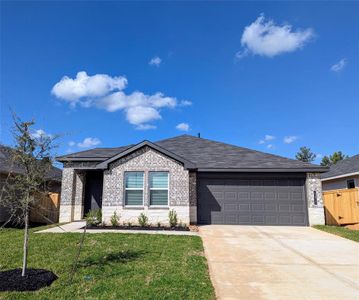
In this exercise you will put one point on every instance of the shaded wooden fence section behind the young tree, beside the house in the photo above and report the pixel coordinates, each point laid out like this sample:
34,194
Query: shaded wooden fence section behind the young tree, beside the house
47,209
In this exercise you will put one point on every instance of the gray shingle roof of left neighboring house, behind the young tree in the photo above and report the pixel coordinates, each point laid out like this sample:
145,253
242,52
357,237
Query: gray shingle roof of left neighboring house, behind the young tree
6,165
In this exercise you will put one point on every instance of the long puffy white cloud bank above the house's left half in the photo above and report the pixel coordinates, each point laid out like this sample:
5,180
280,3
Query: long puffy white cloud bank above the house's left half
139,108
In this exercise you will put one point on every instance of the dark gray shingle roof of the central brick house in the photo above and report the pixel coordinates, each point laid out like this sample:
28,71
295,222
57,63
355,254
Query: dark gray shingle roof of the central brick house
207,154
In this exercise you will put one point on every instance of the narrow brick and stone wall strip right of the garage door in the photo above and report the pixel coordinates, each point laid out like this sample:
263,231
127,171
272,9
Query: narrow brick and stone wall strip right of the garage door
315,211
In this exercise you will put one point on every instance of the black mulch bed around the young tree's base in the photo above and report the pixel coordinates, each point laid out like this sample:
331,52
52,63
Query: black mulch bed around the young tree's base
35,279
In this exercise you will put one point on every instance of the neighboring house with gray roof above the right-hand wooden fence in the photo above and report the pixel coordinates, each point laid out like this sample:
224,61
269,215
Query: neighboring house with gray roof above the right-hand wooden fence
343,175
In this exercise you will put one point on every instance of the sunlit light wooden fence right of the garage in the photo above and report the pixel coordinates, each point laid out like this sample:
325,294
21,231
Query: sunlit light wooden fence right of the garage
341,206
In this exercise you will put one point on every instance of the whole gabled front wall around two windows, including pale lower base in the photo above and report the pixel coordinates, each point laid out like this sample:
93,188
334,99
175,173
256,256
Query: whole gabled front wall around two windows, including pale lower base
145,160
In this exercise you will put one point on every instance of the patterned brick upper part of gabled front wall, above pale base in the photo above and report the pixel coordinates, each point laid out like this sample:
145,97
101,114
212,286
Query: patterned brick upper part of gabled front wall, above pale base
146,160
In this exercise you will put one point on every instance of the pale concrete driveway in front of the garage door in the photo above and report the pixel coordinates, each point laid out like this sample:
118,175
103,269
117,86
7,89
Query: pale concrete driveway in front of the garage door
259,262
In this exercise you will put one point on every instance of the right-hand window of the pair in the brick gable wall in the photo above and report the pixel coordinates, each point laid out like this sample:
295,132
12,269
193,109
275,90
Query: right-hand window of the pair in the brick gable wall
159,188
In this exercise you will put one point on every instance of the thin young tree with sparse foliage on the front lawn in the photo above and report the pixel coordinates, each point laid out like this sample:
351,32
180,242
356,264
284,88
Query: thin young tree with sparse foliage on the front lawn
31,163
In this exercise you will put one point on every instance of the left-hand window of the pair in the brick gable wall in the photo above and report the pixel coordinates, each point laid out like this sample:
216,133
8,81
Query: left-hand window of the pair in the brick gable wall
134,188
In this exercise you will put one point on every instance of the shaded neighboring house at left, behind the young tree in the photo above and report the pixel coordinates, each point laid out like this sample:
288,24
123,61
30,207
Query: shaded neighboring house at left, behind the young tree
8,166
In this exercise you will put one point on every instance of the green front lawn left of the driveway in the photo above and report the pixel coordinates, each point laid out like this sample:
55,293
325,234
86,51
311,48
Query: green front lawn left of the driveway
112,265
